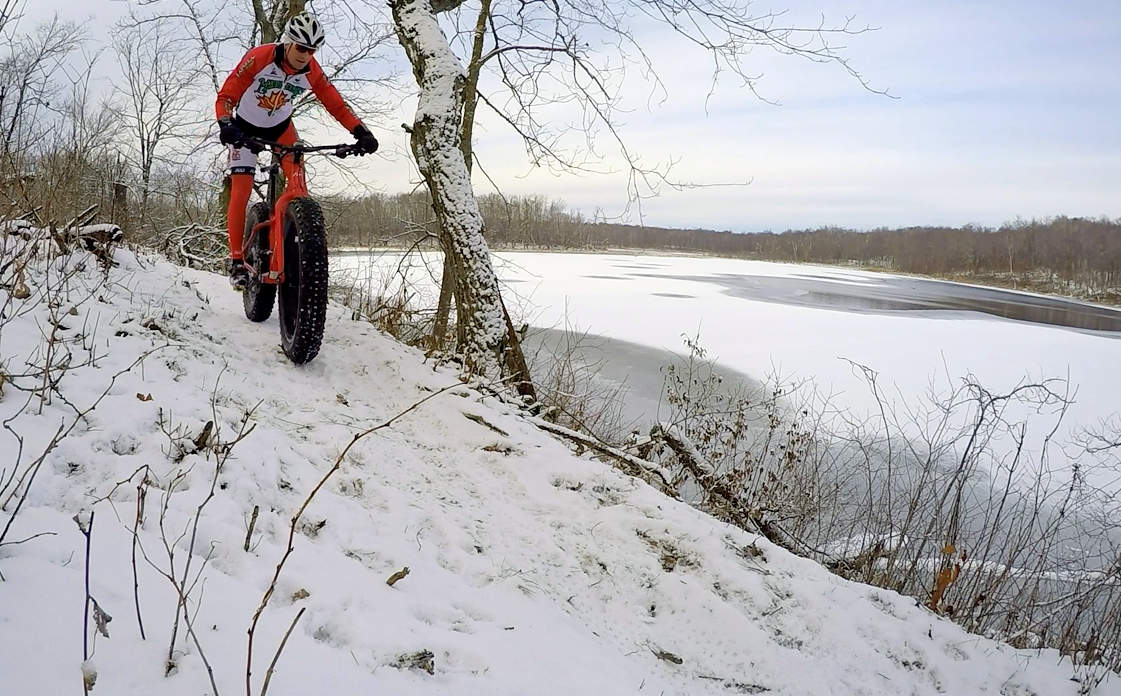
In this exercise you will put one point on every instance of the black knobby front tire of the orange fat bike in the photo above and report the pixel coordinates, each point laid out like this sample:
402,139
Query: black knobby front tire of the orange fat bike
304,292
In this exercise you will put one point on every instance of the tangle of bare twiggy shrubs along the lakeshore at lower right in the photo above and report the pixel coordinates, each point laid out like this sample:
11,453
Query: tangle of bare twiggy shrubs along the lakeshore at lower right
968,503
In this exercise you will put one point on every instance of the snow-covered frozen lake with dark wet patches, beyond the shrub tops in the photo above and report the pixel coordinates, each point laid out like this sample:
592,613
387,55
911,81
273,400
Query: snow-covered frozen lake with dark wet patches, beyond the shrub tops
802,322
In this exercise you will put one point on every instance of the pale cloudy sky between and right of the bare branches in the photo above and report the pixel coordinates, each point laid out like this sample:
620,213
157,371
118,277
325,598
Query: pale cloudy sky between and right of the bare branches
1004,110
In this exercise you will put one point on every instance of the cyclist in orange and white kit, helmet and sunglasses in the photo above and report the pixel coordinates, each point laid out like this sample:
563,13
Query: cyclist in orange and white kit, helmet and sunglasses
256,101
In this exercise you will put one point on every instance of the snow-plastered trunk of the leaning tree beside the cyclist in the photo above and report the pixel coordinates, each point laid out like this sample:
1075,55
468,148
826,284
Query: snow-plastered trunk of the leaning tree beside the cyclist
436,143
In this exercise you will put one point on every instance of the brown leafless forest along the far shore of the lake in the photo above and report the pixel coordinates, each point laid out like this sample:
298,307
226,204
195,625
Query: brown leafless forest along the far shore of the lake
1069,256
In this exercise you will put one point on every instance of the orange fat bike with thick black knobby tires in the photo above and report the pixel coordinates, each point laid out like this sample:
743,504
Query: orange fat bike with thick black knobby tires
286,248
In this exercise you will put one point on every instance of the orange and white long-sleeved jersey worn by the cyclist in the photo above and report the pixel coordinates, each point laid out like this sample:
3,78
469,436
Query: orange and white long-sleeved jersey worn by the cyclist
262,91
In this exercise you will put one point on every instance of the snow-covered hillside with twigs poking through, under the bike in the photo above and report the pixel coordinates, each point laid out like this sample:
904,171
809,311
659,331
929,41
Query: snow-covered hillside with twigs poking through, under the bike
532,570
